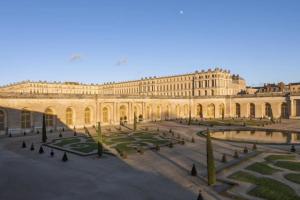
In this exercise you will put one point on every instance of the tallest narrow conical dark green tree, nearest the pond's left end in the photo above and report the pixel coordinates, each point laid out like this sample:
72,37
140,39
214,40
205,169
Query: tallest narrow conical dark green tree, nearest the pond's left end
211,170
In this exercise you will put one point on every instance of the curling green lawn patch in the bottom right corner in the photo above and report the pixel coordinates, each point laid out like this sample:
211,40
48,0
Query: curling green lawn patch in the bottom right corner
266,188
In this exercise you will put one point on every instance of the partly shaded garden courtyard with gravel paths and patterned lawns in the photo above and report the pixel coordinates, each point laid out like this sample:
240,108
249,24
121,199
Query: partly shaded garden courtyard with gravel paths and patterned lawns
157,165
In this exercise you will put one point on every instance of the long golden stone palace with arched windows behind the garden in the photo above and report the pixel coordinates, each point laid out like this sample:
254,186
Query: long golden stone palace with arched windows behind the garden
203,94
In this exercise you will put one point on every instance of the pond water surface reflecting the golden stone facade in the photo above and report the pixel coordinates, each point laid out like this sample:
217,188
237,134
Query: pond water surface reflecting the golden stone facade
258,136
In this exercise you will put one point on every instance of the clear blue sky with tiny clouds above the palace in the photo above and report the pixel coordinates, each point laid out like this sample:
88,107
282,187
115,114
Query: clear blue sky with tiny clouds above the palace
95,41
